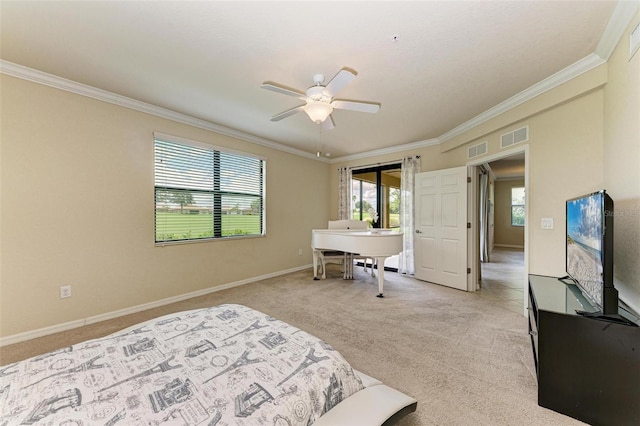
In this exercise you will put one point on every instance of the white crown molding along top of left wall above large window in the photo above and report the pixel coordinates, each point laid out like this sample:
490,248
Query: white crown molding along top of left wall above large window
30,74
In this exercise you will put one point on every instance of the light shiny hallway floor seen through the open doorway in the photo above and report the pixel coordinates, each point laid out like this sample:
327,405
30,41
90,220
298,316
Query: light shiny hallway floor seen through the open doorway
503,278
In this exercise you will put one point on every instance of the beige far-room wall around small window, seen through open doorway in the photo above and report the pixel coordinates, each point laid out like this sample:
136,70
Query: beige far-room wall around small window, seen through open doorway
504,233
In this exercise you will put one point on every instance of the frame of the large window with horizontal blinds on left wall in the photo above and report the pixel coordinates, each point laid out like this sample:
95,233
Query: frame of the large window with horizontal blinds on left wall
216,193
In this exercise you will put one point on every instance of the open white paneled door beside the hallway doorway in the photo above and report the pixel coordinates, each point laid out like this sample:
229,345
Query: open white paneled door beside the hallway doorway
440,241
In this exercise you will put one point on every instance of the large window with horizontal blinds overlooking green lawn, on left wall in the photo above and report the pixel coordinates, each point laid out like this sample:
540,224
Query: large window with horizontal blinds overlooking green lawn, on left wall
203,192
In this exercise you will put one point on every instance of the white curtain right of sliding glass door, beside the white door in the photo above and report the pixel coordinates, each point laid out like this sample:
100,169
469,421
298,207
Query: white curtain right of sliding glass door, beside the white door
410,166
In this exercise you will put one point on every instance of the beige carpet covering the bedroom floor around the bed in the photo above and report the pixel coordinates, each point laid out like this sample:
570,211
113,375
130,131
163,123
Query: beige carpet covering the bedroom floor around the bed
466,359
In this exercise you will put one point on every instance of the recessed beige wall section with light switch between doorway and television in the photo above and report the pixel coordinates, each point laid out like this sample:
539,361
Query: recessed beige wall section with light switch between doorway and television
566,161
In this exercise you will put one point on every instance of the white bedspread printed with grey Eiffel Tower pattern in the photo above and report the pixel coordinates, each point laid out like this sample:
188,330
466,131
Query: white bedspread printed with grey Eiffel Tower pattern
224,365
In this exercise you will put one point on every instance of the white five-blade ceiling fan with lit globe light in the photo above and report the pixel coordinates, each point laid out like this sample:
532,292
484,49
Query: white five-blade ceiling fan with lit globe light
319,99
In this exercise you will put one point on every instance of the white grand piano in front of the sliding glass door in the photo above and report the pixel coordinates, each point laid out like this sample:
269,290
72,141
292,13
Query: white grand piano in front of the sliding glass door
378,244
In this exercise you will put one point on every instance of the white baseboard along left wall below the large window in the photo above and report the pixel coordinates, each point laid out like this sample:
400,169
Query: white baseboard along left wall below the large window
28,335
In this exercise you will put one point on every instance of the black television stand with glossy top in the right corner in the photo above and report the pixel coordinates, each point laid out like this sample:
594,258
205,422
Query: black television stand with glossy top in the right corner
587,368
